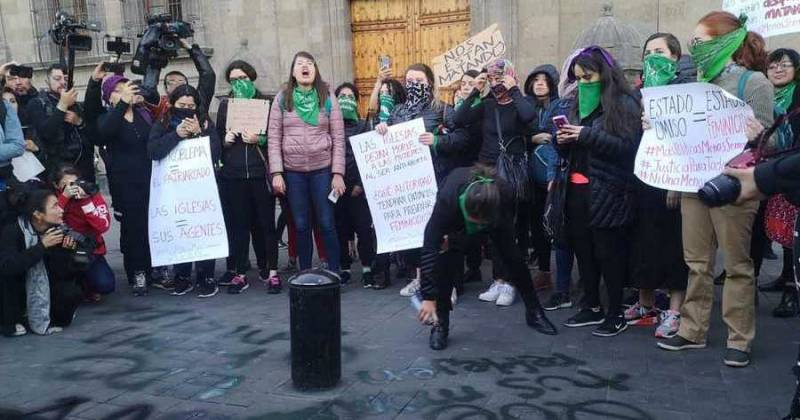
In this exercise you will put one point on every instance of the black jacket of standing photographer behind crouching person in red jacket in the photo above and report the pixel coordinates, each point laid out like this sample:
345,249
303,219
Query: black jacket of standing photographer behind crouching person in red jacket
63,142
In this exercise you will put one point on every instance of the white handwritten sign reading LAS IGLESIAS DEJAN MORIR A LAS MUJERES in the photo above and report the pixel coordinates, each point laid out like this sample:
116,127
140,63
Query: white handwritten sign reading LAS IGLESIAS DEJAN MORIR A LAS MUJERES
398,177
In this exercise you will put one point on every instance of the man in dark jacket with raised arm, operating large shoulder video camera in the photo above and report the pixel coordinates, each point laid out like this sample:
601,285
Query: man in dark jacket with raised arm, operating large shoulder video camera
207,81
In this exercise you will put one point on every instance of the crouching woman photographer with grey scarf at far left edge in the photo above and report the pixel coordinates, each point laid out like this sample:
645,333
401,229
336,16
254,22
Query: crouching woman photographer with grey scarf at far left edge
35,261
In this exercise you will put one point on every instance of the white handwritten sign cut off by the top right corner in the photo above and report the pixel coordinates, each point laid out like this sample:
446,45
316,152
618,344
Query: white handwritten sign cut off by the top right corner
767,17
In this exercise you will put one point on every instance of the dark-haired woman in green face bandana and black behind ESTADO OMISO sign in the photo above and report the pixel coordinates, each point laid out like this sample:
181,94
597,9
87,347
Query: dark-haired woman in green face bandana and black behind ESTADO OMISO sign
657,251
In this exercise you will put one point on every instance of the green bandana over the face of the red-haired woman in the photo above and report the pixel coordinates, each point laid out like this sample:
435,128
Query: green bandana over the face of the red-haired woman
712,56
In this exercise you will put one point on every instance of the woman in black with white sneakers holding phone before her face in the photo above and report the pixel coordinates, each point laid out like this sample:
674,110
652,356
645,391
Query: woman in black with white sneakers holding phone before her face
504,117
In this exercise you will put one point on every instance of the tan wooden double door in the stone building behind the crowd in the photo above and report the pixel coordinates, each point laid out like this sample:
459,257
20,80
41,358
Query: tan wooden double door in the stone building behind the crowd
408,31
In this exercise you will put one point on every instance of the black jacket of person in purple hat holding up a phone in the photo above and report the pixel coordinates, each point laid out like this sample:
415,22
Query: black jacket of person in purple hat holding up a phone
126,143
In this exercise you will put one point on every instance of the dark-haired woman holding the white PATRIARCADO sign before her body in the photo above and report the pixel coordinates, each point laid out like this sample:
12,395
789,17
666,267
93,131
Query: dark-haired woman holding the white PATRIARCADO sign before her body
183,120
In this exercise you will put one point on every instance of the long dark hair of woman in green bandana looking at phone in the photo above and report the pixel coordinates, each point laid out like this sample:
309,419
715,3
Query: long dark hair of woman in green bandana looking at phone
617,116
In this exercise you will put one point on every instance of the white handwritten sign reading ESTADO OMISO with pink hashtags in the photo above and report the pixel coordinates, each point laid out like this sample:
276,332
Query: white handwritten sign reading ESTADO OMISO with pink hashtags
696,128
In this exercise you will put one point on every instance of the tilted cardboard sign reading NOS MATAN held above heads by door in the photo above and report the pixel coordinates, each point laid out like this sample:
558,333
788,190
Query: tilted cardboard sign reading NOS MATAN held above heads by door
472,54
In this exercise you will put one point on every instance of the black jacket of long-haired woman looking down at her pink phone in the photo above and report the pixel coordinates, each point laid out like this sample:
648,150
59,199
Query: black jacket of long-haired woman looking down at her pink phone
608,161
